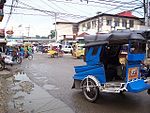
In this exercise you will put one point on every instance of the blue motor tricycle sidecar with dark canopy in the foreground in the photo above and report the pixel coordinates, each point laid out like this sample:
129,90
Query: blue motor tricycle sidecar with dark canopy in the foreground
104,72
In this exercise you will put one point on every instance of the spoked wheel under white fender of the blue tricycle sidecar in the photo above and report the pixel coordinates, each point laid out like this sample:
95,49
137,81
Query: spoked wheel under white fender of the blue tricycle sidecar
90,90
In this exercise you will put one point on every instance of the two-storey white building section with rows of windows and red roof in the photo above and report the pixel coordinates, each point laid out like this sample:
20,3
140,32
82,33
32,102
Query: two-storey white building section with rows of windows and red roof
105,23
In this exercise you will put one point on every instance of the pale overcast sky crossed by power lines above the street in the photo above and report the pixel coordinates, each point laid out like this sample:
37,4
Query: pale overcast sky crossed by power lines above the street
42,16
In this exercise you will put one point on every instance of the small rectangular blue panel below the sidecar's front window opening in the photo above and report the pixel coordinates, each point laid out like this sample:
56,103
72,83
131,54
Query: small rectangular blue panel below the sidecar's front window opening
136,57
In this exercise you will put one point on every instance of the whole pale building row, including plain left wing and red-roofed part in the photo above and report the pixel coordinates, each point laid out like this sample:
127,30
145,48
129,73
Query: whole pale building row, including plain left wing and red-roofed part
101,23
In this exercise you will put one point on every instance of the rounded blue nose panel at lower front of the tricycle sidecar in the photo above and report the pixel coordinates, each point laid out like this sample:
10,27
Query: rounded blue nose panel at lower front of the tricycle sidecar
137,86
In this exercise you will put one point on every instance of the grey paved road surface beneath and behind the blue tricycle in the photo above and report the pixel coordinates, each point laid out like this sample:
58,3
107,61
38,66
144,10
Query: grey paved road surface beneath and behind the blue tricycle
55,75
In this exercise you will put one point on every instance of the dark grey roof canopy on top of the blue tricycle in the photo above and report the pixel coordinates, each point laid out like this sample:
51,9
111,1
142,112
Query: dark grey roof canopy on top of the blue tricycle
112,38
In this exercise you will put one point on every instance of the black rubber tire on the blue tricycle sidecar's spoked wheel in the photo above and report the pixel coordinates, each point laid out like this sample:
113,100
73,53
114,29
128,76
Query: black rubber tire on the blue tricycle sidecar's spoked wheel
86,94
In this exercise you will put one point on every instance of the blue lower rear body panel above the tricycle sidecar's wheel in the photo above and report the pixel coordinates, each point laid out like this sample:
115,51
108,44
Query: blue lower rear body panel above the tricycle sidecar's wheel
98,72
